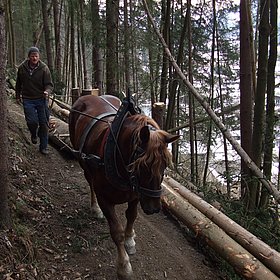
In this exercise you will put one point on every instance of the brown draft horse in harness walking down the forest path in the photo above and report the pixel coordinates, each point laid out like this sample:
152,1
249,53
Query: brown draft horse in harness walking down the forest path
139,159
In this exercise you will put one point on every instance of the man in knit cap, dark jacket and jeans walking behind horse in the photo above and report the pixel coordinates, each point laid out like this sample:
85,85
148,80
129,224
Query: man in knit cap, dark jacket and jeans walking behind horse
33,86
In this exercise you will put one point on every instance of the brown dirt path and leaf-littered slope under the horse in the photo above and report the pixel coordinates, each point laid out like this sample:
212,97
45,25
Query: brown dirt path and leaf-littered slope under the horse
54,235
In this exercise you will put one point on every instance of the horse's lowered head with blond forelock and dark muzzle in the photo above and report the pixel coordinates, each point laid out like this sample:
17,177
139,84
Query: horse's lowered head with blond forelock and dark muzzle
149,156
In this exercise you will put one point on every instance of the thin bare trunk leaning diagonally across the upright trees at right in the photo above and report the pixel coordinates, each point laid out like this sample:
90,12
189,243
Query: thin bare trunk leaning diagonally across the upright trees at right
253,167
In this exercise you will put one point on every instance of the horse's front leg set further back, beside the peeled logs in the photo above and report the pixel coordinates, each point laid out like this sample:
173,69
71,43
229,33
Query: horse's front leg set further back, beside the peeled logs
131,215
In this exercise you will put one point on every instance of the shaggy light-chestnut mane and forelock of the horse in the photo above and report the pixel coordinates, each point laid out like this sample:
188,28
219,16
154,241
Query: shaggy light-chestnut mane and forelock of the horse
156,157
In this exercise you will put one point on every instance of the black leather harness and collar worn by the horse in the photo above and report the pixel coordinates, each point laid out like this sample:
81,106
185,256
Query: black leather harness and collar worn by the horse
111,150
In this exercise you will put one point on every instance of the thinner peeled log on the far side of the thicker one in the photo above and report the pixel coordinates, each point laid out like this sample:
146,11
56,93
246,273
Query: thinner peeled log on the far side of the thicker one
263,252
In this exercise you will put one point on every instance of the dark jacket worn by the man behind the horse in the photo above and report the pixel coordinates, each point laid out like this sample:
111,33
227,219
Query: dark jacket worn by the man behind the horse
31,84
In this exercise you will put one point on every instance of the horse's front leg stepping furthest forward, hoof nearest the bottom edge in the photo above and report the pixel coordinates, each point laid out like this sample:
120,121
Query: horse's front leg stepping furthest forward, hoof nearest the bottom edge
124,269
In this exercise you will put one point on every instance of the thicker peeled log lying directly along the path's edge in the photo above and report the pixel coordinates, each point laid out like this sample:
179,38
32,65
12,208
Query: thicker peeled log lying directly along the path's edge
241,260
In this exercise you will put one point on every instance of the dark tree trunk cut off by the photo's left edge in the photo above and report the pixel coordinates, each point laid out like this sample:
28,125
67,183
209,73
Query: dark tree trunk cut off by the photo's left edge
4,170
